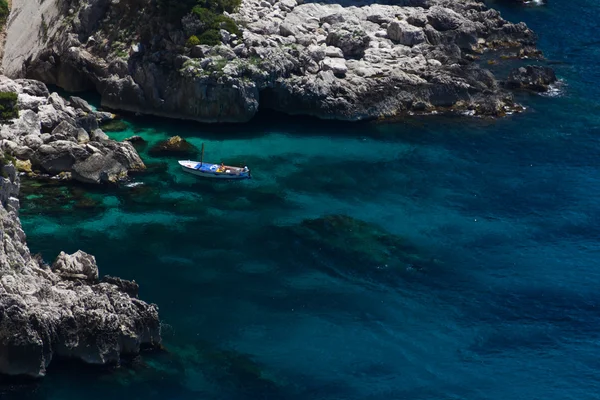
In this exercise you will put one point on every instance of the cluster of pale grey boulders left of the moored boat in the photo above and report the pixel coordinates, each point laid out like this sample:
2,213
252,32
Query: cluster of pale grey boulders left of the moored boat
57,138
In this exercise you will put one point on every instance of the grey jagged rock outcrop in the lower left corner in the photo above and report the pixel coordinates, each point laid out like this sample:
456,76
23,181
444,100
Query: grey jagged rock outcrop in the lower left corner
63,310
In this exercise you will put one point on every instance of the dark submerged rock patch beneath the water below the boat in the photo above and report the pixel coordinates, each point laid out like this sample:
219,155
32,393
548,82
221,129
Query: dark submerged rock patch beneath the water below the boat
346,248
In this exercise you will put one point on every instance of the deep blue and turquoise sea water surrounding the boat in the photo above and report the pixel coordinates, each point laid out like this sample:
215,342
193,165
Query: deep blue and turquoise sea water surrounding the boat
435,258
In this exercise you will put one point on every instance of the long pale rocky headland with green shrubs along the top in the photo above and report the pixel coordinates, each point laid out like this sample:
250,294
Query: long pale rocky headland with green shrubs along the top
327,60
